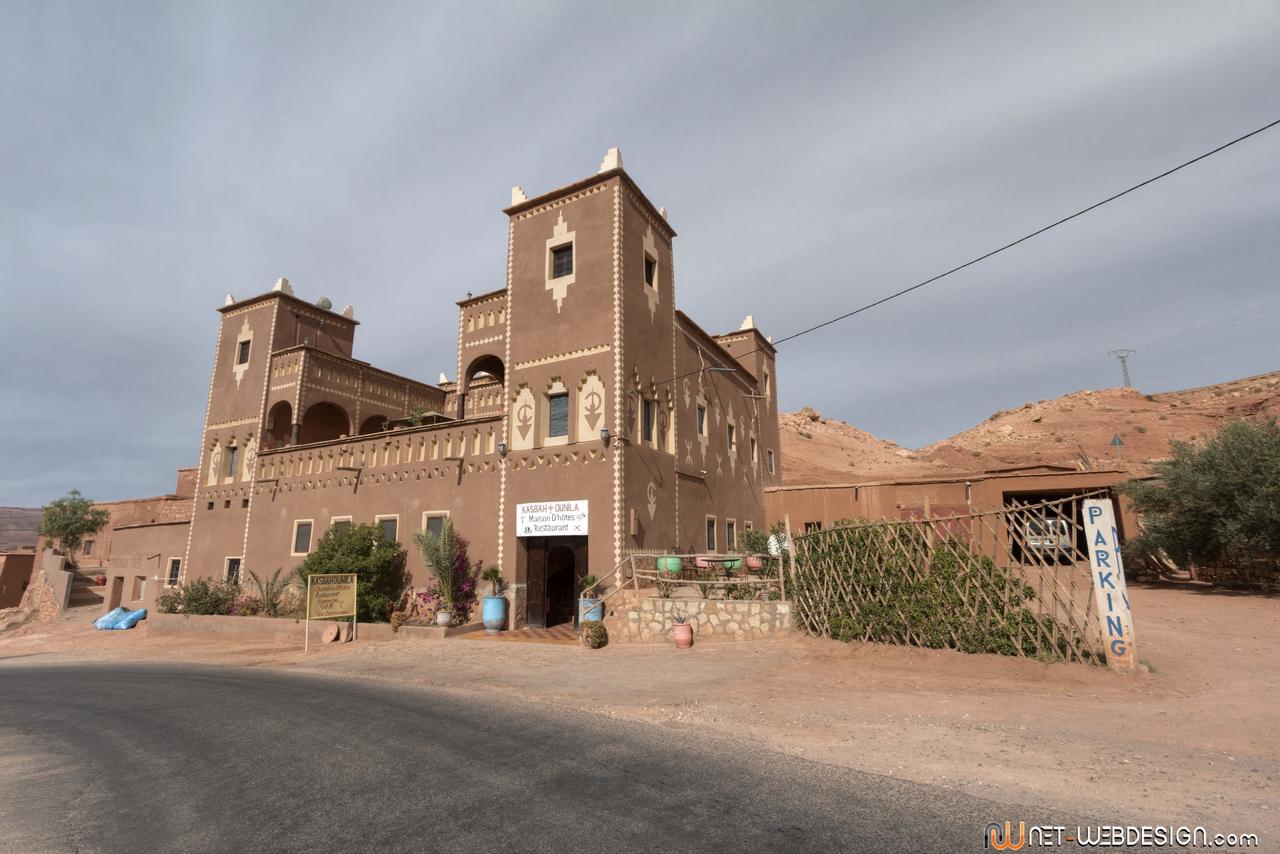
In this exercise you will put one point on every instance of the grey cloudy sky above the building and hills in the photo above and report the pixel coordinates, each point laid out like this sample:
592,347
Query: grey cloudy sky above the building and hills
813,157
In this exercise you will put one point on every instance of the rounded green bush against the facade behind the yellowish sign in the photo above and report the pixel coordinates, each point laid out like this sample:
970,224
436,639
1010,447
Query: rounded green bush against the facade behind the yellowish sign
377,561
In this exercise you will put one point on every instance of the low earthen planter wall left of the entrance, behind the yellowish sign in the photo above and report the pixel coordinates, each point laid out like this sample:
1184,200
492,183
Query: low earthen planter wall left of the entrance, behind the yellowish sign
282,631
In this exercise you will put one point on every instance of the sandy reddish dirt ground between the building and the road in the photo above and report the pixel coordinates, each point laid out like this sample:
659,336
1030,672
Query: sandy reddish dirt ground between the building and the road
1195,742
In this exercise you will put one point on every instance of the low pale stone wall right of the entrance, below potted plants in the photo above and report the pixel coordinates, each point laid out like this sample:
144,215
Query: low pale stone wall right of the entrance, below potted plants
651,620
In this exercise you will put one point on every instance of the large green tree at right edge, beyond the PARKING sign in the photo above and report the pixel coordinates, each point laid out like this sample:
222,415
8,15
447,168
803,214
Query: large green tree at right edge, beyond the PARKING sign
1214,501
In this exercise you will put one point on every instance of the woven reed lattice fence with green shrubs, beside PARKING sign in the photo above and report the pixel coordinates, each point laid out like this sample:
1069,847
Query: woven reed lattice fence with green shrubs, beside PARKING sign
1012,582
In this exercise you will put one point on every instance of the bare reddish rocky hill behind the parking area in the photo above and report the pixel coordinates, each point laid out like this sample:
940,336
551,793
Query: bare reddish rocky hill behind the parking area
1076,430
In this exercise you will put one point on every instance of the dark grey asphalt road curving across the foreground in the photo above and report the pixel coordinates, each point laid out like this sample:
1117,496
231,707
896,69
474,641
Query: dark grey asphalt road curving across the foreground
150,759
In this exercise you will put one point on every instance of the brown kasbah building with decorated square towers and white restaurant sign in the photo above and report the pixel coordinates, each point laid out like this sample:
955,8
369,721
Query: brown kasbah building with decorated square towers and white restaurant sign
579,383
